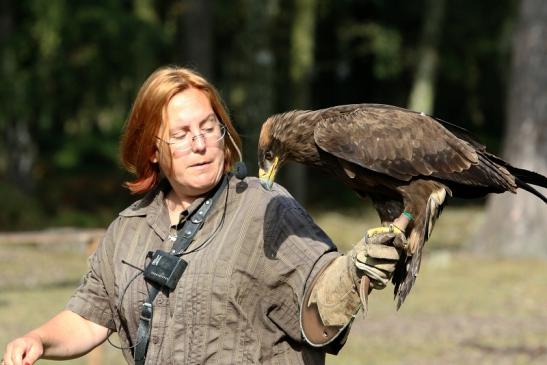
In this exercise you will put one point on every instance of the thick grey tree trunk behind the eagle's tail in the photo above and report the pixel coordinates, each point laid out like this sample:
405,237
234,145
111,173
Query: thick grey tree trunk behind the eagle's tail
517,225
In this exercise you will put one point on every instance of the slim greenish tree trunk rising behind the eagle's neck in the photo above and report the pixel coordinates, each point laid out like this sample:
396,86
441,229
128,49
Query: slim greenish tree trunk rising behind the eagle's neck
301,65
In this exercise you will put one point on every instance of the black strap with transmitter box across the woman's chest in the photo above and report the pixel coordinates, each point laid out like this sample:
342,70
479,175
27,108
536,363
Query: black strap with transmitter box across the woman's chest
174,267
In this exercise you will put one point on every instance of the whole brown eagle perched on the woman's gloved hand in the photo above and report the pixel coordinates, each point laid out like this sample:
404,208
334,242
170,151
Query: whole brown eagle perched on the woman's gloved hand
407,163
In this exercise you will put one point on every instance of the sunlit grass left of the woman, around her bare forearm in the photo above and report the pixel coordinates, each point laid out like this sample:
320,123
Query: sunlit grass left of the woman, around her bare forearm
35,284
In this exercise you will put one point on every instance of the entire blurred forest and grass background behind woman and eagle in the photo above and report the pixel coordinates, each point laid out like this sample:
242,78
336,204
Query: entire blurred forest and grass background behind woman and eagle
71,69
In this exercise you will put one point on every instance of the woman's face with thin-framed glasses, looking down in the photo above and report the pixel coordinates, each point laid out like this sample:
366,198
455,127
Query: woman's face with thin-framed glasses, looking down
194,171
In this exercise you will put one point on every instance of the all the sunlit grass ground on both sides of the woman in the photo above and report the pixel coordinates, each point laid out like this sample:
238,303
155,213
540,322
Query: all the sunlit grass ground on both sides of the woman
464,309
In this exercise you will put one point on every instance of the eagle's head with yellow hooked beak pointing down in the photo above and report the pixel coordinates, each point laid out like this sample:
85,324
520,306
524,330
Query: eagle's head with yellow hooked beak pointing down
271,151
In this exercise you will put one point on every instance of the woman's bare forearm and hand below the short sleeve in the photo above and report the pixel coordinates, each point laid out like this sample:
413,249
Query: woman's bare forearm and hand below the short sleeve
65,336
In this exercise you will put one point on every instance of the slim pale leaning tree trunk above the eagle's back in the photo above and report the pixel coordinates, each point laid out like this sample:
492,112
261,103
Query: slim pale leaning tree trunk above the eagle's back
422,95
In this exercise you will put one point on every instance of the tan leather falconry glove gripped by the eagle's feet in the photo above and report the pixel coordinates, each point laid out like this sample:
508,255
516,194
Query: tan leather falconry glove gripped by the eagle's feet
337,291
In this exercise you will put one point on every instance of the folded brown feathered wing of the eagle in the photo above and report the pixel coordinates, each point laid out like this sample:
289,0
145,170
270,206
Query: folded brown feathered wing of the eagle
393,141
